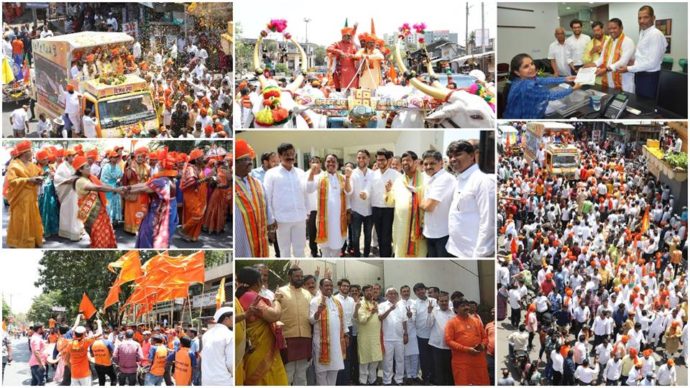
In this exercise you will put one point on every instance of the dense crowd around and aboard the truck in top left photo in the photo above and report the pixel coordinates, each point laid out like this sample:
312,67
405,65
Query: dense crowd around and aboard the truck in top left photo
191,88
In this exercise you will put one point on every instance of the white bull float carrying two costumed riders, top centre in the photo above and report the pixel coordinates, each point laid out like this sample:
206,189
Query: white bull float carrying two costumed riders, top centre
364,101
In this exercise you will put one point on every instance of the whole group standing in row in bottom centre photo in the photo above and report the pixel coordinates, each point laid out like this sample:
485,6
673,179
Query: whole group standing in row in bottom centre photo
318,332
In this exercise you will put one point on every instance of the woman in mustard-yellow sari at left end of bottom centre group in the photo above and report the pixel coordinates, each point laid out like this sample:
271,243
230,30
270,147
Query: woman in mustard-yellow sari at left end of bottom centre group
262,363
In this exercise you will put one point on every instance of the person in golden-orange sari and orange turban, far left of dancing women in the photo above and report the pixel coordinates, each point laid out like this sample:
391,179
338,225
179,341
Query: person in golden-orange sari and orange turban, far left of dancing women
25,229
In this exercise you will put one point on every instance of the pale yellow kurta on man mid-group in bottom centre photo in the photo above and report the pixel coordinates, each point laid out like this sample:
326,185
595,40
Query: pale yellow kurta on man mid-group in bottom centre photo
369,333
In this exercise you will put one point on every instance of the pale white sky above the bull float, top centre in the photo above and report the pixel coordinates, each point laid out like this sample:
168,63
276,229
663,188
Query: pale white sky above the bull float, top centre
328,17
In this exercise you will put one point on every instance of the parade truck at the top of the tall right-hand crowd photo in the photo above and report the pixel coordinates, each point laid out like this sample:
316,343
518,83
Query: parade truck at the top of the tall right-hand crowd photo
559,159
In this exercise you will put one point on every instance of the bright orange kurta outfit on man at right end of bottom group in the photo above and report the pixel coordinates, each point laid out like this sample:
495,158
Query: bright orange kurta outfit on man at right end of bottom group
463,334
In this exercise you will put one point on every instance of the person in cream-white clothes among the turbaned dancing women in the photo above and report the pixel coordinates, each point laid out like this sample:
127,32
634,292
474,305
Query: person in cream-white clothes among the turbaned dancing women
70,226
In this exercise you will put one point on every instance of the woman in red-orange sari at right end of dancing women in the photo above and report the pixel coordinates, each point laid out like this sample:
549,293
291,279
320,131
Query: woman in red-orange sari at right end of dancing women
217,211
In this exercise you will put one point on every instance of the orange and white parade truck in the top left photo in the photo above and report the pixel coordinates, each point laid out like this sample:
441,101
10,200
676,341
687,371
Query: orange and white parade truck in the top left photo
123,104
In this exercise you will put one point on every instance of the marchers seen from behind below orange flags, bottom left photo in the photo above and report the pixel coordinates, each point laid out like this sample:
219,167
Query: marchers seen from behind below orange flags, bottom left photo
142,354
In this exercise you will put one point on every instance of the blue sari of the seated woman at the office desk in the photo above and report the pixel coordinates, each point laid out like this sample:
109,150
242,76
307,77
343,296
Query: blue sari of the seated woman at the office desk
528,98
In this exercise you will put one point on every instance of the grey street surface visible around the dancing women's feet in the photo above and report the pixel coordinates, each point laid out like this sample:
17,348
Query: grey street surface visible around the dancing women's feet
126,240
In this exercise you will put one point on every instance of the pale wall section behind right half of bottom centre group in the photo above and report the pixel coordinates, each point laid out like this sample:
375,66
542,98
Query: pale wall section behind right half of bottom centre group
456,275
